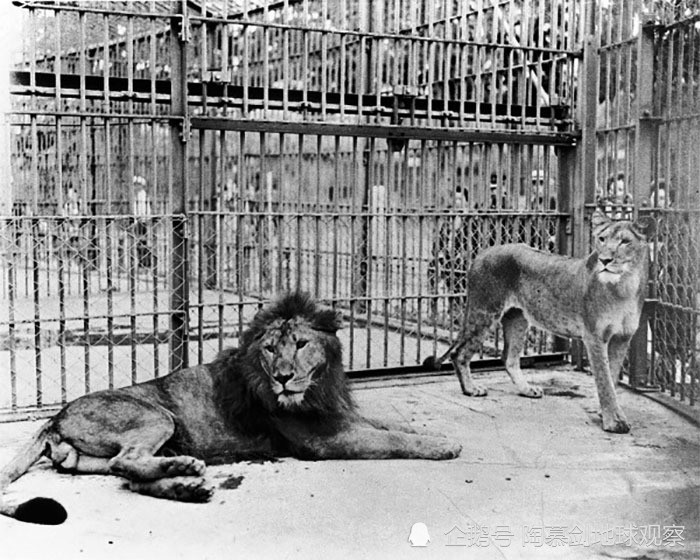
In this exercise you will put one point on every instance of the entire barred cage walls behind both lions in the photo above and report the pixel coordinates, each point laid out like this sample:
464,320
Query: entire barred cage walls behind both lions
177,164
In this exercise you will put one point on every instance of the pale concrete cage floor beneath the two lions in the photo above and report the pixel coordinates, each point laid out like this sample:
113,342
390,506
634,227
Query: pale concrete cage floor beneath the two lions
534,479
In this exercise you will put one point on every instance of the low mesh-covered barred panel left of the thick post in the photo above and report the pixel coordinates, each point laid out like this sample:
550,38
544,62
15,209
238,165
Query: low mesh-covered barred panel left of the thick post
80,295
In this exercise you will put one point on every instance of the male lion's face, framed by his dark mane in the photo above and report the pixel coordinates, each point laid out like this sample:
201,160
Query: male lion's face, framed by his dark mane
292,355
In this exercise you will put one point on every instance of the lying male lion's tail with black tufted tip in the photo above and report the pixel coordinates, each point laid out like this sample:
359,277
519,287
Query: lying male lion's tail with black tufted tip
37,510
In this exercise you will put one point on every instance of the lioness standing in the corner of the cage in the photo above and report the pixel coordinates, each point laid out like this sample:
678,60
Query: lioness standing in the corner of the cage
597,299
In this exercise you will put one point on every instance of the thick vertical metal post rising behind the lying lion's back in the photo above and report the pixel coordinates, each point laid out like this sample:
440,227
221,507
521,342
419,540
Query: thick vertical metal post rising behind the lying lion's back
179,134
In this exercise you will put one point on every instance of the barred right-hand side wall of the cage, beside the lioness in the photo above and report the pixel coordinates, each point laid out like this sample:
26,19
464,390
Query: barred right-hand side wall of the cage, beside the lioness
647,132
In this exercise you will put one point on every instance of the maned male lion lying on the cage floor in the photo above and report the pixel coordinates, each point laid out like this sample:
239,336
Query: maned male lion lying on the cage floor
283,392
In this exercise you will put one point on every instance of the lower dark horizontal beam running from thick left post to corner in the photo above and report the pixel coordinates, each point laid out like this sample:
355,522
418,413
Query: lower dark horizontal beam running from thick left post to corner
394,132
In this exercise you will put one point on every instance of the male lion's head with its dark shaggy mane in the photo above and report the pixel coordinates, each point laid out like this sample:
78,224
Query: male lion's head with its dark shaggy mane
297,356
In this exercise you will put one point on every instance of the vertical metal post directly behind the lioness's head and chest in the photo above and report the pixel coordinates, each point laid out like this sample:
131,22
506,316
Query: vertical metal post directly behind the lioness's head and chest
645,146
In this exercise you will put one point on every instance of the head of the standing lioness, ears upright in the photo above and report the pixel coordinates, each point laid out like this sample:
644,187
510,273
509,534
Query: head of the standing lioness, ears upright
621,246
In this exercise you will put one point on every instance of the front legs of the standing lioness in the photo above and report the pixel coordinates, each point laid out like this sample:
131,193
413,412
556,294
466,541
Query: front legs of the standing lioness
601,365
